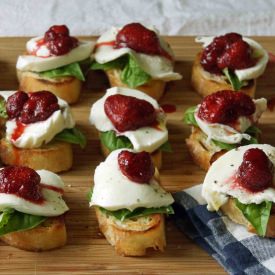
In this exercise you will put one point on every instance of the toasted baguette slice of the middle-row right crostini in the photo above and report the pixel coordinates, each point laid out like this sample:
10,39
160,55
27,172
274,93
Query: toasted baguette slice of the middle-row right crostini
202,153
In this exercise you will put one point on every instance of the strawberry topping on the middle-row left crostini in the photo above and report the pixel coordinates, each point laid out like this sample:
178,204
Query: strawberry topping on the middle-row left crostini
33,107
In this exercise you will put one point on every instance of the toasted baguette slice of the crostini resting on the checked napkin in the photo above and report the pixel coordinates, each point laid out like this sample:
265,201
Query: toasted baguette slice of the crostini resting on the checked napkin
235,214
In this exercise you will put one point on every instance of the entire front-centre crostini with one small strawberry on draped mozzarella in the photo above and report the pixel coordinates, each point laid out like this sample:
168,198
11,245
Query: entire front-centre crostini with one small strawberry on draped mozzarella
129,202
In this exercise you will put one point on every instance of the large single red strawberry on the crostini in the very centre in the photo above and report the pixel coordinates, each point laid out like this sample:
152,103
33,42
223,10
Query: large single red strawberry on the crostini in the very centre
129,113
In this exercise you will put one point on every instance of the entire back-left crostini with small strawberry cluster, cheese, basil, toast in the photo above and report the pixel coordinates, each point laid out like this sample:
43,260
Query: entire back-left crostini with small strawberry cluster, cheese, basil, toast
55,62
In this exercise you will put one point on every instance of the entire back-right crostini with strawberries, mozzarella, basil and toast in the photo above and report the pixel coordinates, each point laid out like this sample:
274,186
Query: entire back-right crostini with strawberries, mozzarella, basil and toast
228,62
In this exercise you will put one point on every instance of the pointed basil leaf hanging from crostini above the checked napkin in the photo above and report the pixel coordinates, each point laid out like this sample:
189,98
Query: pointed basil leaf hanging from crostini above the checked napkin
256,214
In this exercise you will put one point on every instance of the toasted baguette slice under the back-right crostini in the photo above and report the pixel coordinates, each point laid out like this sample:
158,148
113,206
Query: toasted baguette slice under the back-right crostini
206,86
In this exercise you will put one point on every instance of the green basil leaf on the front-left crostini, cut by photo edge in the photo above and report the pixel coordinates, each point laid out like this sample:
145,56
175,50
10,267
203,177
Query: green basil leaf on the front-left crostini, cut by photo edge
12,221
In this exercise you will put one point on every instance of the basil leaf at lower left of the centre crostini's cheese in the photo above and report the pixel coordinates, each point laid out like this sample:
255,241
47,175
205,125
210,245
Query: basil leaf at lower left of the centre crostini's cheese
113,142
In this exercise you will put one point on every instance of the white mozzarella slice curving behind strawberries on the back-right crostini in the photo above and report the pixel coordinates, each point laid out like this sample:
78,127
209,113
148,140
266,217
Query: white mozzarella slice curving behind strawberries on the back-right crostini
249,73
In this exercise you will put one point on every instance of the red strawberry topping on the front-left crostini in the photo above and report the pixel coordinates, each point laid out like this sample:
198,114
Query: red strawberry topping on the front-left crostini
22,182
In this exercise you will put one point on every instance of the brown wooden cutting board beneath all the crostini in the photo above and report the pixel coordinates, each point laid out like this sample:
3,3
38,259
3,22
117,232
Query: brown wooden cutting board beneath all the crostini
87,252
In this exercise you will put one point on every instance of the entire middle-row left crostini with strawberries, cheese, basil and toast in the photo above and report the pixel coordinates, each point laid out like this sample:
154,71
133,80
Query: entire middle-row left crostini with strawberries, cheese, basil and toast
39,131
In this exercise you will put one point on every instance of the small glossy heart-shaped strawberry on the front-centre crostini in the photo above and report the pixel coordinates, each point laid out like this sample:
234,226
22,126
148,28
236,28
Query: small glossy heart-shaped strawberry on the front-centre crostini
137,167
